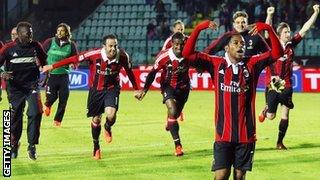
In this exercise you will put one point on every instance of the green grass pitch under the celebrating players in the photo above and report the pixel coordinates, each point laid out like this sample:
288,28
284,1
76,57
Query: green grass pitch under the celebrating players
142,149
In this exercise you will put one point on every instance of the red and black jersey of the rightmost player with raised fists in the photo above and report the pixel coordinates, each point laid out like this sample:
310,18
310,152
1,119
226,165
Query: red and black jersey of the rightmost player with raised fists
283,66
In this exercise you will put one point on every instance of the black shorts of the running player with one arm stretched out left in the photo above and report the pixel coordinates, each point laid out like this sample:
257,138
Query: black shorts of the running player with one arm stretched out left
99,100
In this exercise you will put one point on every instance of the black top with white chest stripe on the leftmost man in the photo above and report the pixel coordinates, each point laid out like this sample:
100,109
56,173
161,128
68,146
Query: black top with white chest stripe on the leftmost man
24,62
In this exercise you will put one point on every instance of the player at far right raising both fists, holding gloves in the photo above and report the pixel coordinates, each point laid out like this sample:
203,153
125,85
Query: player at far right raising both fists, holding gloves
278,75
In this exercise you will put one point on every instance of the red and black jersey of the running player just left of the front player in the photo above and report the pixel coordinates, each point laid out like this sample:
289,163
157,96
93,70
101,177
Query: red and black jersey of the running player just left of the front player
174,70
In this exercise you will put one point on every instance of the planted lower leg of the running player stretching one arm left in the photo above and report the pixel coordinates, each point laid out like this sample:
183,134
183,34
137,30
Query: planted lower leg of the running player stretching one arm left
95,131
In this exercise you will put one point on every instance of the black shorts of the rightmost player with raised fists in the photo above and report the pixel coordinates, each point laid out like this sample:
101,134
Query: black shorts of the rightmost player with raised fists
284,98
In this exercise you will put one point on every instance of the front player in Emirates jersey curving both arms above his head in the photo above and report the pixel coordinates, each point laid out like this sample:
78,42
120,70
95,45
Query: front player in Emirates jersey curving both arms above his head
235,80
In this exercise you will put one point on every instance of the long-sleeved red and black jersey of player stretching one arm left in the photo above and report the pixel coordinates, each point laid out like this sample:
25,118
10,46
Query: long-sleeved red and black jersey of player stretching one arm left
104,72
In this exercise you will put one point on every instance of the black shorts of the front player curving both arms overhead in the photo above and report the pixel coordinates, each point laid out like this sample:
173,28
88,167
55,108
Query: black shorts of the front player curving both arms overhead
226,154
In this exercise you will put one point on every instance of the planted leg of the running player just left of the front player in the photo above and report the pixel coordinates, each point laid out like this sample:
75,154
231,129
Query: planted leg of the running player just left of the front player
173,126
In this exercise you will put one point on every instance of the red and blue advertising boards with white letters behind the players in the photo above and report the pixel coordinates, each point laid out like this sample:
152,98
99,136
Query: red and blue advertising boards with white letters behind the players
304,79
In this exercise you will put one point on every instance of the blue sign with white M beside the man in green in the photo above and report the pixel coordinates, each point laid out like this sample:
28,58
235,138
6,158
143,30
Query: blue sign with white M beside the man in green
78,79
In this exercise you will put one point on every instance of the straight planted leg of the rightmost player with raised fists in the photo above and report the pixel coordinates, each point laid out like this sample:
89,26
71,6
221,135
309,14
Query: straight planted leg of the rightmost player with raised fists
283,126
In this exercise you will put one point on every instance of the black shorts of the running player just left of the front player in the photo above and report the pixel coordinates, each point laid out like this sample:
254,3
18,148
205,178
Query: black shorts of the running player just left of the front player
179,94
